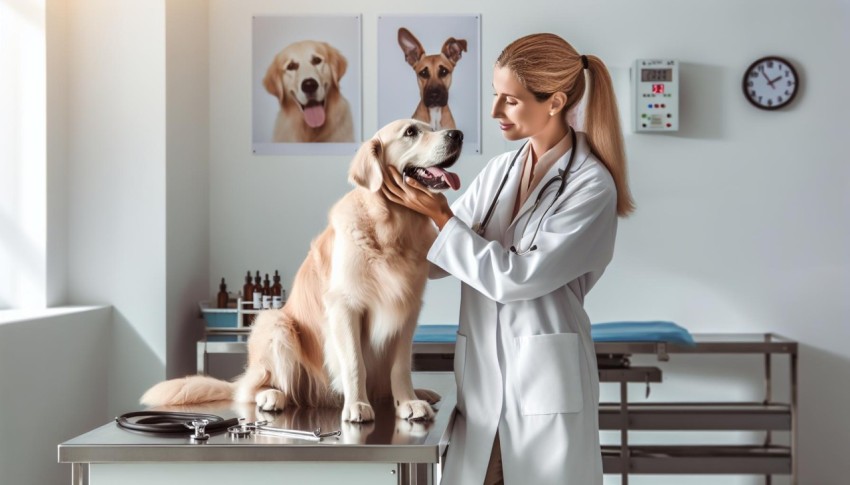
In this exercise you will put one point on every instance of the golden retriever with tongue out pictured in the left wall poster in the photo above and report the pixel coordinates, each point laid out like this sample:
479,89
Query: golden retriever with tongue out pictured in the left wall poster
304,77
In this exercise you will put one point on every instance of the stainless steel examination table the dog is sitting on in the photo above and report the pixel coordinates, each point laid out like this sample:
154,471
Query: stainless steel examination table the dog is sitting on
388,451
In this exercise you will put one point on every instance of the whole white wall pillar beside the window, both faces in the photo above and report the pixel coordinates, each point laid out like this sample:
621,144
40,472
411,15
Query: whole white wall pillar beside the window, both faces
137,181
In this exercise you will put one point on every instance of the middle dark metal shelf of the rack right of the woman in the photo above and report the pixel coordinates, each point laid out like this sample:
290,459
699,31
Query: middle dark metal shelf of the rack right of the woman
697,416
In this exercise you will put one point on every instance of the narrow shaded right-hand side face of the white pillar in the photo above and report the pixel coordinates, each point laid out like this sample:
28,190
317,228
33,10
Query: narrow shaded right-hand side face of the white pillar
187,179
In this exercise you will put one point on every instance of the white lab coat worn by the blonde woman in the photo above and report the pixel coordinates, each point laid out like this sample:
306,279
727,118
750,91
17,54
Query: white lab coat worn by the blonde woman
524,361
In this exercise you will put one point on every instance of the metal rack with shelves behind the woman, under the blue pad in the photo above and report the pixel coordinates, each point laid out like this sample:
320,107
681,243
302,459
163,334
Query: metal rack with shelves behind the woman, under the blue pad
768,416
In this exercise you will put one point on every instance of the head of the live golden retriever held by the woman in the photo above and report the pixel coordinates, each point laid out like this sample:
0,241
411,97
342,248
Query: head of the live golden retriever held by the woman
415,150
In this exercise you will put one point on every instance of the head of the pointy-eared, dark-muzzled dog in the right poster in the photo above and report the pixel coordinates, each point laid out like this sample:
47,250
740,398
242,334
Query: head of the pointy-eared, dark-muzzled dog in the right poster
434,71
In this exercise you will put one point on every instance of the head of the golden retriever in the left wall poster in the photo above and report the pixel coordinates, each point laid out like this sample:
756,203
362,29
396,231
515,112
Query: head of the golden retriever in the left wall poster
305,73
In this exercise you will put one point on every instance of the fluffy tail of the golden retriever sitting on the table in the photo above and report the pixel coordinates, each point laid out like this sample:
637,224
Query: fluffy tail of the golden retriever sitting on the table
188,390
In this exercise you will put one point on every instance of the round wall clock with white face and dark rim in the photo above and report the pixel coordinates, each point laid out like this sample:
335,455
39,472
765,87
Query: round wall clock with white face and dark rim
770,83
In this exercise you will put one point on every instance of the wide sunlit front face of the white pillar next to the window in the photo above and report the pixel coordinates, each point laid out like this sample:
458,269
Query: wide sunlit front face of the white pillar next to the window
116,176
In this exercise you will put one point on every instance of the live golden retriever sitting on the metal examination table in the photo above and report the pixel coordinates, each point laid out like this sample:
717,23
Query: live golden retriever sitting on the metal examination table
345,336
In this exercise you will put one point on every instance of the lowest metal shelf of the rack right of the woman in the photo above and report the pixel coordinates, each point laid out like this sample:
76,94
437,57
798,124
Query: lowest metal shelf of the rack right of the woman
660,460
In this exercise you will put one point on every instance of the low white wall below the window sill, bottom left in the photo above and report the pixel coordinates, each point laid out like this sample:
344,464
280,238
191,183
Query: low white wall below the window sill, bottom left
54,388
